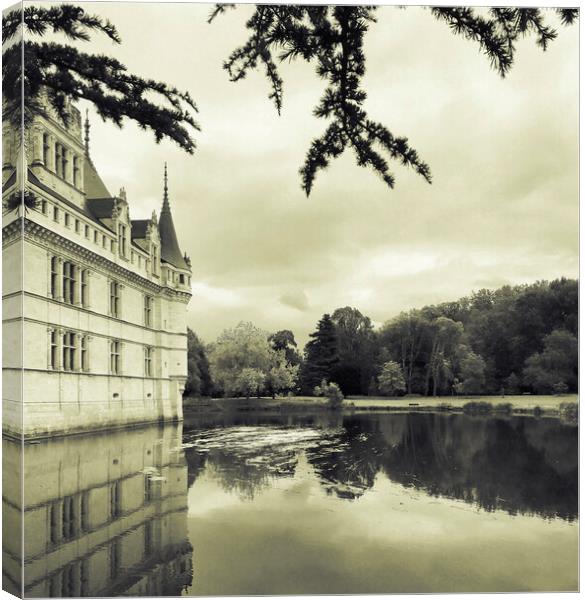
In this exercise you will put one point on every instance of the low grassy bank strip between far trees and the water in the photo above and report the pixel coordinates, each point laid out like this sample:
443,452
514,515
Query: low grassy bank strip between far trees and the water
519,405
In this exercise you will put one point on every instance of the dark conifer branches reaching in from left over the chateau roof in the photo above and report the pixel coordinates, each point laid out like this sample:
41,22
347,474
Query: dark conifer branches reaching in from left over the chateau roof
58,73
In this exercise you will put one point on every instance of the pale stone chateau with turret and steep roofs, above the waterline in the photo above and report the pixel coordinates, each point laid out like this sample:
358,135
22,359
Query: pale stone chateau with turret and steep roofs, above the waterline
94,303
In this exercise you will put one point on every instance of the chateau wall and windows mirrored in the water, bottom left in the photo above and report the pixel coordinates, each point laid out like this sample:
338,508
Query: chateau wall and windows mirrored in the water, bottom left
104,515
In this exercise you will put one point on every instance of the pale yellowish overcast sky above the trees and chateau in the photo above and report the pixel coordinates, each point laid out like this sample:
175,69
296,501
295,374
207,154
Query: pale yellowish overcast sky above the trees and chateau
503,206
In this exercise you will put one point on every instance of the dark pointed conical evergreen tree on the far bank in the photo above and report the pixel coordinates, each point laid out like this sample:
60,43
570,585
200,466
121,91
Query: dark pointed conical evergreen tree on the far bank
321,355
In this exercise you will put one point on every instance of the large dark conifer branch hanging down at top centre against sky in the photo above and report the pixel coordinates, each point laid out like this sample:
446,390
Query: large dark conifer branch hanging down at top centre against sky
331,38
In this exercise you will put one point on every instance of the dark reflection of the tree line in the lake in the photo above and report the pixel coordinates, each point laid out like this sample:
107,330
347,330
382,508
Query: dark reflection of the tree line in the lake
520,465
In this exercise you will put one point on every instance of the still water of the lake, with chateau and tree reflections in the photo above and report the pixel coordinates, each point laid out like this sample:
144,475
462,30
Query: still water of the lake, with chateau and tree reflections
253,504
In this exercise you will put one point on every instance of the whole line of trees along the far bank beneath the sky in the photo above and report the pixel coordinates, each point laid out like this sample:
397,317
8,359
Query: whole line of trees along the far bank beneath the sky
512,340
